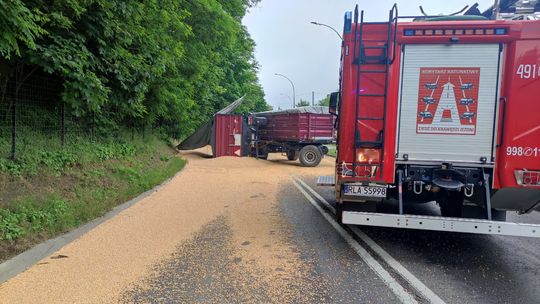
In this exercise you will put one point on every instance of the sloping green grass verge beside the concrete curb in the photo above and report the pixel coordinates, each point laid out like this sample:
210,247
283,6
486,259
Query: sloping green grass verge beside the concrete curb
50,190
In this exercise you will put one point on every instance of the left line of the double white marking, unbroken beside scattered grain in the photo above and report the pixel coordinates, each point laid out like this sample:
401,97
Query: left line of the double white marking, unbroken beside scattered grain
396,288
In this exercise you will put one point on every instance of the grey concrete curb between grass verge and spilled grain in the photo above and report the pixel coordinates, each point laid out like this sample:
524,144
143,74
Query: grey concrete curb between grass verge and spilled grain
29,258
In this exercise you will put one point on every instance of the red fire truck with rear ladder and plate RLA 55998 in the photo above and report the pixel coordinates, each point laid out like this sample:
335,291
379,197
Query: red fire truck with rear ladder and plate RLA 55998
443,109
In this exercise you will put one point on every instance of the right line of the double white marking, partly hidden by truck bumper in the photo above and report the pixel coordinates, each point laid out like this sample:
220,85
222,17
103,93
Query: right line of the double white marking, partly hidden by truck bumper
427,293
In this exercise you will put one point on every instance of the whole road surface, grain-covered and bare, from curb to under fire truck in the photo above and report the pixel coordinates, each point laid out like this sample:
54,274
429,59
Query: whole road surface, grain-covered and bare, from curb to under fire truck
275,242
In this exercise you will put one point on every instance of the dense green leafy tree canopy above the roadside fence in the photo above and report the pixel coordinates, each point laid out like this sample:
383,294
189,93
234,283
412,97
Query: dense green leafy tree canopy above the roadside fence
170,63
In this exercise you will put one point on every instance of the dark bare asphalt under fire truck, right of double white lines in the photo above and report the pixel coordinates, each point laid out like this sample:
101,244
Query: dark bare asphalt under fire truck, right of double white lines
463,268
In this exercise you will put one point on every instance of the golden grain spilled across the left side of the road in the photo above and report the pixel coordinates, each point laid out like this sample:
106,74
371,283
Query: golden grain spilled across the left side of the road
121,259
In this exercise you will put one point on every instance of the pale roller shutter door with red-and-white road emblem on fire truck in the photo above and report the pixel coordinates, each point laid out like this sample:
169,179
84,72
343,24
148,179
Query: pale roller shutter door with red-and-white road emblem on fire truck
448,102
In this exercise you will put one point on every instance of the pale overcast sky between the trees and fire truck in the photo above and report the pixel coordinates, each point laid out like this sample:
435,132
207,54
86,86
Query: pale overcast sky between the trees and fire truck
309,55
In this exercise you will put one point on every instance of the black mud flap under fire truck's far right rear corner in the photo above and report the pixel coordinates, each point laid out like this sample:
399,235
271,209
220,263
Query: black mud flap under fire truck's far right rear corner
523,199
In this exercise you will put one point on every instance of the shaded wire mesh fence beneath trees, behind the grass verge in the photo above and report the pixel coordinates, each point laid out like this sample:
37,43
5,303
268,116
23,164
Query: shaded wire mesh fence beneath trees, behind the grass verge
33,118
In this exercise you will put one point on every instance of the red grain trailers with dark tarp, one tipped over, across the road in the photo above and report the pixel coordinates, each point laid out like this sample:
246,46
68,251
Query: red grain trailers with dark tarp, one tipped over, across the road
300,133
